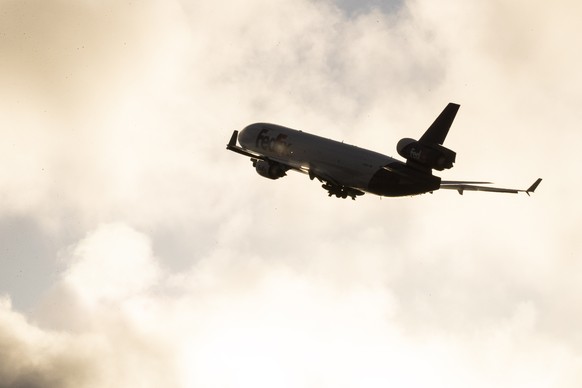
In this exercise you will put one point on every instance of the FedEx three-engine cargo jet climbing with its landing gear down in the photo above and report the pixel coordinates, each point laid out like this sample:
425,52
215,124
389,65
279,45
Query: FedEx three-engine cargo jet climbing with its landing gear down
349,171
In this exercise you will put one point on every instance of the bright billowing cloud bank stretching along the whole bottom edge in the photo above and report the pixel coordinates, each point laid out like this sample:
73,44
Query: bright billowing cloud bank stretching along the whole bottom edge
252,323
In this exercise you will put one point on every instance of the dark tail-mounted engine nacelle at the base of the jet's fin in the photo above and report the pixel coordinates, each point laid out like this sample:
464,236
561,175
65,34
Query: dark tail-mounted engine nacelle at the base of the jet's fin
428,155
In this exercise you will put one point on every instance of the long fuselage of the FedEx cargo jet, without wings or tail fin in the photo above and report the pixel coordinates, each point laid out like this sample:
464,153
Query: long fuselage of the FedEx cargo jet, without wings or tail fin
336,162
